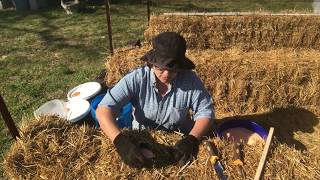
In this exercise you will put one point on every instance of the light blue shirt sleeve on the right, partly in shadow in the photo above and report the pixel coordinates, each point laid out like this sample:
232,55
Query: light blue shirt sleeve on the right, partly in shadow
202,104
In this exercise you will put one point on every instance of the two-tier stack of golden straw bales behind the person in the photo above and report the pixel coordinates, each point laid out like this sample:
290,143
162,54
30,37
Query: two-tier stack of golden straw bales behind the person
239,80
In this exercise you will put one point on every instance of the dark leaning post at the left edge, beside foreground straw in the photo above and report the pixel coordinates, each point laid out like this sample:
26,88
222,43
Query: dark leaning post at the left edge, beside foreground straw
8,120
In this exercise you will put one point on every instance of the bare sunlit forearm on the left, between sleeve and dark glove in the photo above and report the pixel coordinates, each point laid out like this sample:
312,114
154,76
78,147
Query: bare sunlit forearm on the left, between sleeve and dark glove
107,122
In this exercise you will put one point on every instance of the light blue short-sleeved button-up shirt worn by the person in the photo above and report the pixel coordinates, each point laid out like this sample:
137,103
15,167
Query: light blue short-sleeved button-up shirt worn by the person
150,110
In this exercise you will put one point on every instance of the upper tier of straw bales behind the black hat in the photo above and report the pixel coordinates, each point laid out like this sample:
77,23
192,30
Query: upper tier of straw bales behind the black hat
249,32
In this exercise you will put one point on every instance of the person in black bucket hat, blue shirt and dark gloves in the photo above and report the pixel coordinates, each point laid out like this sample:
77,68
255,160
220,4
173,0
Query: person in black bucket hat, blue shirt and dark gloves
162,93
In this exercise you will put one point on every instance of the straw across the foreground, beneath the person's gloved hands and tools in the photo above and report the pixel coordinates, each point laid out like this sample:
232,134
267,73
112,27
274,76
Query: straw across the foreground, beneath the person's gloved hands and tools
53,149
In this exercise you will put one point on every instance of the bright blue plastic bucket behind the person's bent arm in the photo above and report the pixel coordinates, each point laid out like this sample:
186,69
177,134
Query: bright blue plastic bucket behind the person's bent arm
125,118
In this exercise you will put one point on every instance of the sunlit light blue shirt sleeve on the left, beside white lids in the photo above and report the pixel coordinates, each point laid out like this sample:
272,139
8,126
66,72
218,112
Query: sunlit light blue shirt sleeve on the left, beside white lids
120,94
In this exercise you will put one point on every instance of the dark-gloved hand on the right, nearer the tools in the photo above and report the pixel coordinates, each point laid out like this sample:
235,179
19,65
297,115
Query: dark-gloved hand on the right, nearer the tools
186,149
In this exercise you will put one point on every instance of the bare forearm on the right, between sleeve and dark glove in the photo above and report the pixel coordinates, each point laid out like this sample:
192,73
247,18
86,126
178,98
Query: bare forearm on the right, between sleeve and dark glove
201,126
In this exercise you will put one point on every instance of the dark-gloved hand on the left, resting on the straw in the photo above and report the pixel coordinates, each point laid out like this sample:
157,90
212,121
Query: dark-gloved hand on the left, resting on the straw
129,152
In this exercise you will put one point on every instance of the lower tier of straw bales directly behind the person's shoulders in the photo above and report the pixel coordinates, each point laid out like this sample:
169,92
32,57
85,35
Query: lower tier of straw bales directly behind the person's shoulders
244,82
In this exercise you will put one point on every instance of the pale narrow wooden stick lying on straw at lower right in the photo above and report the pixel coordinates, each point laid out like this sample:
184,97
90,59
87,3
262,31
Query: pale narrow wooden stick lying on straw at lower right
264,155
